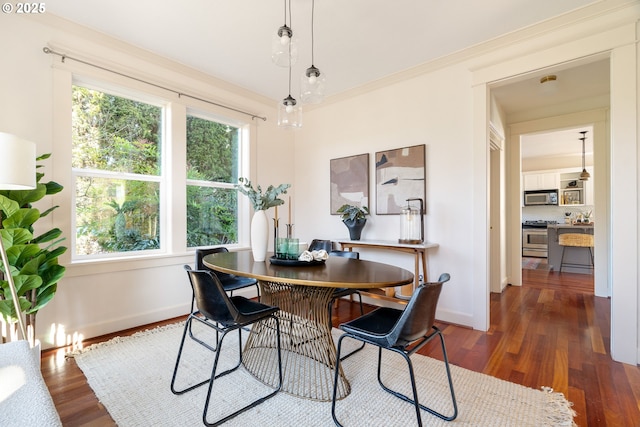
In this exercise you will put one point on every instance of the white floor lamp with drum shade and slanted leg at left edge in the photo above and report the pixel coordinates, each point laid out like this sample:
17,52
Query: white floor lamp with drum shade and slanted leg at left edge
17,172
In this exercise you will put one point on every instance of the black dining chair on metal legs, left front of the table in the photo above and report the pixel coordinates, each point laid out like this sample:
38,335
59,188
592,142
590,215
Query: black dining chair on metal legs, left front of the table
225,314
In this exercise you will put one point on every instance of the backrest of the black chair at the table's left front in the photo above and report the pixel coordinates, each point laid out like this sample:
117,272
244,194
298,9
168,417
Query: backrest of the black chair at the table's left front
211,299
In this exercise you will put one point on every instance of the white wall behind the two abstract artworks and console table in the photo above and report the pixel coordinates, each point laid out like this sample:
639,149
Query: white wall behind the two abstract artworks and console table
435,110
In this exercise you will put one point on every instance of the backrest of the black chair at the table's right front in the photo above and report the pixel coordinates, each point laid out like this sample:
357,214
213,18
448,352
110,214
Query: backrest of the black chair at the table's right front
419,315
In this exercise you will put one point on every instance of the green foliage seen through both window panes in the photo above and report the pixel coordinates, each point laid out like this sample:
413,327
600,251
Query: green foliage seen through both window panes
113,136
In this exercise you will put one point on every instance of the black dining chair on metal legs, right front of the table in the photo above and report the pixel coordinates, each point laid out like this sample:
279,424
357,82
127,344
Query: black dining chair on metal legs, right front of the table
403,332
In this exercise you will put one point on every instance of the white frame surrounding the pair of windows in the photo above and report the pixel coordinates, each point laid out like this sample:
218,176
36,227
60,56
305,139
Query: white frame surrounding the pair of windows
173,194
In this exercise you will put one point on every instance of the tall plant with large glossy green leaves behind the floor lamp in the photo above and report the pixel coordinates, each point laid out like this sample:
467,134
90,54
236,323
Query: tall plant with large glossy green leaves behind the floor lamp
33,259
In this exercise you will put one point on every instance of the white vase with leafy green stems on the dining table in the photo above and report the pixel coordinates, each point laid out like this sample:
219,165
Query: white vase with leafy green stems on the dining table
261,202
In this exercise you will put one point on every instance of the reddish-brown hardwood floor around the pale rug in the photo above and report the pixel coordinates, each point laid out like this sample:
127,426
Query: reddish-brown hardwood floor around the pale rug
552,332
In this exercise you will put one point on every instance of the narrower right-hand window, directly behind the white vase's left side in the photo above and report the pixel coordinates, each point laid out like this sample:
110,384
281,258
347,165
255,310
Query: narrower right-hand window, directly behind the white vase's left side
212,170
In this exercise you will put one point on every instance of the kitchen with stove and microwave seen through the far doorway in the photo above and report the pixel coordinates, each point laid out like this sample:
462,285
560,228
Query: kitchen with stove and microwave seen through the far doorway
554,160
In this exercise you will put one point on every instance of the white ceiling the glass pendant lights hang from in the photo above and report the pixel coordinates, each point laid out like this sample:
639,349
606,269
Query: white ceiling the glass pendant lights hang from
356,41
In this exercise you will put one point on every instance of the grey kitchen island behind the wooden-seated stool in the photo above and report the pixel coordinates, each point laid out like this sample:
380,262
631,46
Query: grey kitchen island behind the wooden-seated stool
577,256
